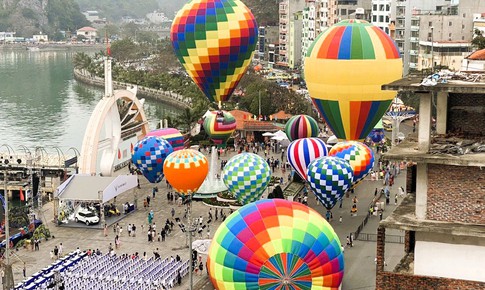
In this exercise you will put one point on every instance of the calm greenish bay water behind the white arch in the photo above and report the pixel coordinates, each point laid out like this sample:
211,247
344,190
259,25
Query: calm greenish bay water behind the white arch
42,105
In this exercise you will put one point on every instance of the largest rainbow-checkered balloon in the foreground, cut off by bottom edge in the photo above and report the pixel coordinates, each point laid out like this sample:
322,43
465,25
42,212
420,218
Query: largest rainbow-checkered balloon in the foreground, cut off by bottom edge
275,244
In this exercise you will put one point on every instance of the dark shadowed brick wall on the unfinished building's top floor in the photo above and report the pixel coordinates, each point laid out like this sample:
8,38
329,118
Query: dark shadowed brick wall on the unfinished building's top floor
465,112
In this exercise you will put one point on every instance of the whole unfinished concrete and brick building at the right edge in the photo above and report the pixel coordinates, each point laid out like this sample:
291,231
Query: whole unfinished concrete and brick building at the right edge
444,211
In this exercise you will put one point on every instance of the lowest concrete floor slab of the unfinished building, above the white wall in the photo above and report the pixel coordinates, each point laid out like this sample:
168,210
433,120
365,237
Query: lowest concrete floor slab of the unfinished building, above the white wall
404,218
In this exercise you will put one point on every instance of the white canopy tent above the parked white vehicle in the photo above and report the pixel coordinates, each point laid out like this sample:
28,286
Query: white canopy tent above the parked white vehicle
83,187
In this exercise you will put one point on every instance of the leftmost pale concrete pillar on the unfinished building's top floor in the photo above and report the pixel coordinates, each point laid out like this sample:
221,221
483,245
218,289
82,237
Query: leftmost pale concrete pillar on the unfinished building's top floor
424,129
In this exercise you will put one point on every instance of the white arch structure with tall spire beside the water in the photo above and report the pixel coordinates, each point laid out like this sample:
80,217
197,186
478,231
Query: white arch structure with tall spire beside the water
121,115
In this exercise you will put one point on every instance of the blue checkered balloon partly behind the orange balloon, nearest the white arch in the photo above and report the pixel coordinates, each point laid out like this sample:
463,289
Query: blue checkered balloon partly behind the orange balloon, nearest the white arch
149,155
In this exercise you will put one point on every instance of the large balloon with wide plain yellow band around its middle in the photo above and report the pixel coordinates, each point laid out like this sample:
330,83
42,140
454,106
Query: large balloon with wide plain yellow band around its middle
345,68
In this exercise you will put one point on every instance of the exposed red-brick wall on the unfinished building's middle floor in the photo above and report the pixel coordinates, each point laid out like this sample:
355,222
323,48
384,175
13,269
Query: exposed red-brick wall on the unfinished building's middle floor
456,194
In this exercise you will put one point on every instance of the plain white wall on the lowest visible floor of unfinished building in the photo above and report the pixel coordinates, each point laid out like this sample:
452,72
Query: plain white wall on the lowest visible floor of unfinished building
438,255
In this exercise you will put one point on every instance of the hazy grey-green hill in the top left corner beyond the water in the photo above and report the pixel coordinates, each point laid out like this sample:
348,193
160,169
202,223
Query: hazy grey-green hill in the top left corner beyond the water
28,17
